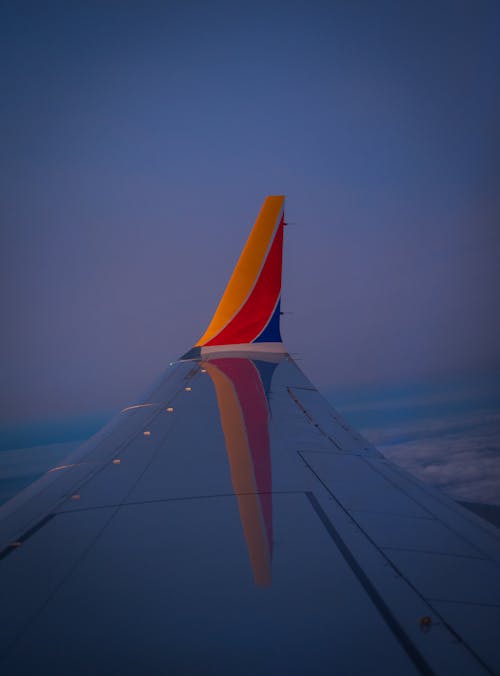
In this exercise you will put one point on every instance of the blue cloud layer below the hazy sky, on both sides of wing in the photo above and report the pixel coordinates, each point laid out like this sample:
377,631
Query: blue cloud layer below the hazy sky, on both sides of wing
446,433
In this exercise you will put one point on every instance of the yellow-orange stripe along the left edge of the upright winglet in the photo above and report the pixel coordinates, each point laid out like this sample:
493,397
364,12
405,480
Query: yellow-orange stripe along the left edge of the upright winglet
247,268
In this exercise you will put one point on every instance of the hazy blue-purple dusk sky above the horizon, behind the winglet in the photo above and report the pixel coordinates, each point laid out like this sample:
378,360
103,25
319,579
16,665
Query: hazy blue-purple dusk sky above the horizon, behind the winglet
140,138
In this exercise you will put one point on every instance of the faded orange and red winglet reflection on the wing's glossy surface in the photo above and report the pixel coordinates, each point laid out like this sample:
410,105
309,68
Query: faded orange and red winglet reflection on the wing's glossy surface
244,413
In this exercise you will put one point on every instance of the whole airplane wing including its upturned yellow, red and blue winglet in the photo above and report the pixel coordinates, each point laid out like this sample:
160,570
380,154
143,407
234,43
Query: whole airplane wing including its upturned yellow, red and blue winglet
233,523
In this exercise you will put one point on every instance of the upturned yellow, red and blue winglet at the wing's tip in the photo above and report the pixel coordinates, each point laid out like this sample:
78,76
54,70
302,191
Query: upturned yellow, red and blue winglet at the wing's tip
248,314
